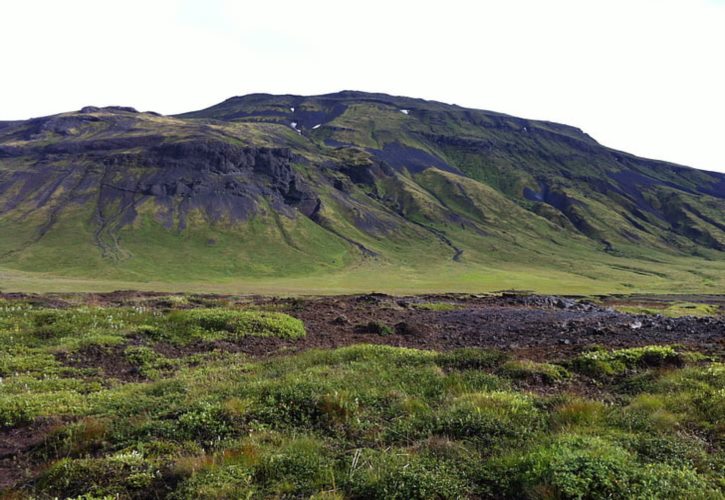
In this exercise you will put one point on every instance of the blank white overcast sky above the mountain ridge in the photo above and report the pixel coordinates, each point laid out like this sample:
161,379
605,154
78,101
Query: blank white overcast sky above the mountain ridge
647,77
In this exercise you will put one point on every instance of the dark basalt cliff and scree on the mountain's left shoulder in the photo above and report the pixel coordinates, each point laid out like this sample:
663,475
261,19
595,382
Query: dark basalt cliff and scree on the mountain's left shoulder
220,179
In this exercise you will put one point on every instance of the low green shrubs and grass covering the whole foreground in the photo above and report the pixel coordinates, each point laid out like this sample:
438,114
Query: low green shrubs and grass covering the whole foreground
200,421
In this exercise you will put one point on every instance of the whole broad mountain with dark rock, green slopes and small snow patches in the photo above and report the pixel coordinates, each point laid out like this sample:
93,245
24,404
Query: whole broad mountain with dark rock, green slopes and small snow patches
344,191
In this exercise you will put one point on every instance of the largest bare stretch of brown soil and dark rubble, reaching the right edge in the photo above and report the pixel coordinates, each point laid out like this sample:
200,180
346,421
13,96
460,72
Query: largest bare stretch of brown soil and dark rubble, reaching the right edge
532,326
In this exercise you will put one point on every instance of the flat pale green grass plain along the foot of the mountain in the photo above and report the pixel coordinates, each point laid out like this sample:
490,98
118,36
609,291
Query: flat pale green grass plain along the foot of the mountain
396,279
